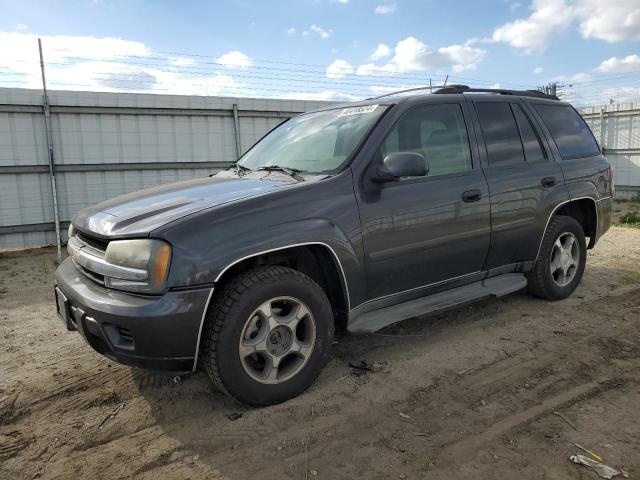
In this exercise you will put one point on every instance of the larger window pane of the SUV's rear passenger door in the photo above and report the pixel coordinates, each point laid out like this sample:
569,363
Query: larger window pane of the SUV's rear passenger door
501,134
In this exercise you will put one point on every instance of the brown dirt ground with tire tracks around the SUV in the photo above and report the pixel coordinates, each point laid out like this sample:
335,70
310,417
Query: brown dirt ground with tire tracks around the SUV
470,394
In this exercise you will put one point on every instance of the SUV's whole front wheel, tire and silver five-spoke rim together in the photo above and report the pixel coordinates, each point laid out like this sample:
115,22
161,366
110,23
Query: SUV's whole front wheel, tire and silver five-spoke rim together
268,335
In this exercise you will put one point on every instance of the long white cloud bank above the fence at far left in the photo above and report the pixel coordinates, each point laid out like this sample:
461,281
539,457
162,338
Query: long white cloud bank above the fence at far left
101,64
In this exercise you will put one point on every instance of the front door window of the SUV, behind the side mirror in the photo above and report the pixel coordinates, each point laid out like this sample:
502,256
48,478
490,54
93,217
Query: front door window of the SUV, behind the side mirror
436,131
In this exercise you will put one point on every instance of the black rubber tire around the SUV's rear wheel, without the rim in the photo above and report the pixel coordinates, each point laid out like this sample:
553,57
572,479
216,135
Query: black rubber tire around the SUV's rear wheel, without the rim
540,280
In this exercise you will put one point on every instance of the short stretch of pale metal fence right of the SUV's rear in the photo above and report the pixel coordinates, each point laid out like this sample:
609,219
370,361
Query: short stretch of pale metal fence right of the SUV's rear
617,128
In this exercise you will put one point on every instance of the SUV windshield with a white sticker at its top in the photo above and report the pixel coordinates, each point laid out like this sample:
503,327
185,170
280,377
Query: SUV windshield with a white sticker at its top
315,142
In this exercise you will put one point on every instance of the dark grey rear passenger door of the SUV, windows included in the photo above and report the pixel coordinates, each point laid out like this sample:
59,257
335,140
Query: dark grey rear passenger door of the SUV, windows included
524,180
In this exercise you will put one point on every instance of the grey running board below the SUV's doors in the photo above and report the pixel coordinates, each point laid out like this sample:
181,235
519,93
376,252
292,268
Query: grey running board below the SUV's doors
495,286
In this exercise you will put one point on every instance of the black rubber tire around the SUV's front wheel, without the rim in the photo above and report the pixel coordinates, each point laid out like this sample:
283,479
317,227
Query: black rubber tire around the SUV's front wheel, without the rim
226,321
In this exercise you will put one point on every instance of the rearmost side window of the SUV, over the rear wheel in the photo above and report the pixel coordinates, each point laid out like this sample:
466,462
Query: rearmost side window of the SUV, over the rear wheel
570,132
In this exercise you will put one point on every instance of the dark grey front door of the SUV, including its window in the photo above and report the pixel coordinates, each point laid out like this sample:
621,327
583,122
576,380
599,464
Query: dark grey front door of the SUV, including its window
421,232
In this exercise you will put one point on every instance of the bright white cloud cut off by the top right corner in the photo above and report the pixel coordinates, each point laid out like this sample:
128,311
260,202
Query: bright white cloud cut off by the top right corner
612,21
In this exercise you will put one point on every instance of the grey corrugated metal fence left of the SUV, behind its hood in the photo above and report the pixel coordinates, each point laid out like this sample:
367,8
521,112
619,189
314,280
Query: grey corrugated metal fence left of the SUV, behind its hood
106,144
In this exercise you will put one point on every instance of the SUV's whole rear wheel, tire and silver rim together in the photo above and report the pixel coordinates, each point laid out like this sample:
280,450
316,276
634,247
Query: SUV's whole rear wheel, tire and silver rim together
560,264
